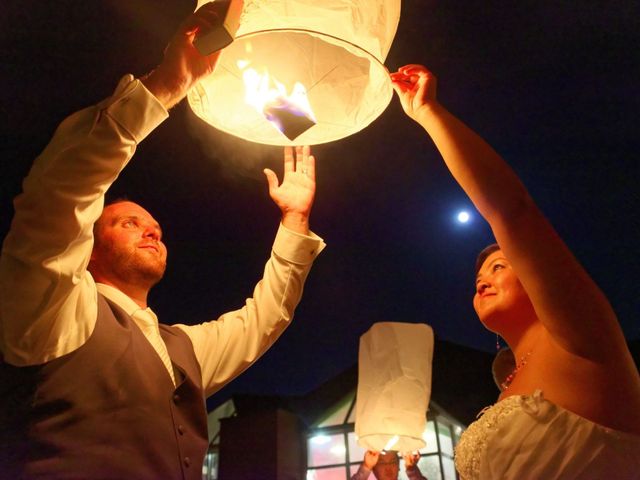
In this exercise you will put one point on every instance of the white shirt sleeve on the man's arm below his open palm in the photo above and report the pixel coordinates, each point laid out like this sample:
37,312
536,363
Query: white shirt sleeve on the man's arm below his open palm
228,346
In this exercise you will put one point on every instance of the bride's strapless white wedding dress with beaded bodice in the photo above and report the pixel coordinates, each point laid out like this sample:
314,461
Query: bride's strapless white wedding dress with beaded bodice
527,437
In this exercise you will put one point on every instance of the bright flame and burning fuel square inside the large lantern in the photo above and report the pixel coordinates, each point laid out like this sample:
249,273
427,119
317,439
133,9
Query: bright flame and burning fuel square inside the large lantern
289,113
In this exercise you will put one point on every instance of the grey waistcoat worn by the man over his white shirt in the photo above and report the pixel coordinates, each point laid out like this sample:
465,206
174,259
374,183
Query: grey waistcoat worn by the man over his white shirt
108,410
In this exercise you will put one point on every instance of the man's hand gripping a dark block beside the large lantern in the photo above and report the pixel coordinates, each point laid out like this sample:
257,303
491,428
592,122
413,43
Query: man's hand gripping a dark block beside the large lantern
183,65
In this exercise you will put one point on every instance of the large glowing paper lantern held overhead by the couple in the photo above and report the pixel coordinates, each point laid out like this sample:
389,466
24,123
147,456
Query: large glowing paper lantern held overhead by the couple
326,54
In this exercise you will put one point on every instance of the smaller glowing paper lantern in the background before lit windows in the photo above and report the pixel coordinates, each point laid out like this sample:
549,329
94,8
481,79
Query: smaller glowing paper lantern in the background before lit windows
394,386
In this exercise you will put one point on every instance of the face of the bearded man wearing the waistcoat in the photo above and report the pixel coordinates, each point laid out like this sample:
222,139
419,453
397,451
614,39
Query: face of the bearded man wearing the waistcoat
128,246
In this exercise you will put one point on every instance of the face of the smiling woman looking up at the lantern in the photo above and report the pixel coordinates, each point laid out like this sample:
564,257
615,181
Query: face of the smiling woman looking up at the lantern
499,294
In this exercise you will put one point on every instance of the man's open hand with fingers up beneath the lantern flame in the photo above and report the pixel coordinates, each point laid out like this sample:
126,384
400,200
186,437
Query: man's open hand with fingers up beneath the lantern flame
295,195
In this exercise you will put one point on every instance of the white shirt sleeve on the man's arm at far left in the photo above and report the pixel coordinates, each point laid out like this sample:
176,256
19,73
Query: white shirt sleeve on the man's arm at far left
47,298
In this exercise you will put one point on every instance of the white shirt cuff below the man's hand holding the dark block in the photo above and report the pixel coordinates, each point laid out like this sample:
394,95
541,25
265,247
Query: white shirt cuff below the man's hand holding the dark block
134,108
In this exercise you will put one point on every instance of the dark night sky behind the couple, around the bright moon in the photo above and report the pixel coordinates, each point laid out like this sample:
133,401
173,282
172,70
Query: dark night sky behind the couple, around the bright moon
552,85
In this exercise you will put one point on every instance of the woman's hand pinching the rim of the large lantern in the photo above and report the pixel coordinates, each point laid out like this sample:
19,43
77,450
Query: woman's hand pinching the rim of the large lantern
416,88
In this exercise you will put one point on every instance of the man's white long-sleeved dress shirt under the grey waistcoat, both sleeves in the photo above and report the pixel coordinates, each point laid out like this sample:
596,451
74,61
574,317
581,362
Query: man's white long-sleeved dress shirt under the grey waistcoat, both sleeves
48,299
